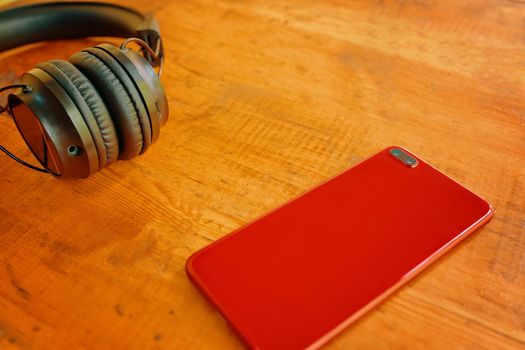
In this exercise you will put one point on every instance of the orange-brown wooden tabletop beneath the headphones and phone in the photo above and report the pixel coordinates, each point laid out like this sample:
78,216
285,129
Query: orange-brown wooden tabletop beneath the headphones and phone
267,100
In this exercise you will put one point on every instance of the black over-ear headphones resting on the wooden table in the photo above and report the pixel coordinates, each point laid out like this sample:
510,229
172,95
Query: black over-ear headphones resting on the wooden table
105,103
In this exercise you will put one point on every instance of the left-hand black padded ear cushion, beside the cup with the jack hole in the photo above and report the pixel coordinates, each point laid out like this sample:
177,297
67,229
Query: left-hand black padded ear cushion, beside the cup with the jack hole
90,105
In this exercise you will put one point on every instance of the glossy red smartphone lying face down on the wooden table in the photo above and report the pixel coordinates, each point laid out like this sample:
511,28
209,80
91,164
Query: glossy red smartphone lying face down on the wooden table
300,274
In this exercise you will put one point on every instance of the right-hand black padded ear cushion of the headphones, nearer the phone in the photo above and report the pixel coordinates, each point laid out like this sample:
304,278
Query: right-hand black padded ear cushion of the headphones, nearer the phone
121,98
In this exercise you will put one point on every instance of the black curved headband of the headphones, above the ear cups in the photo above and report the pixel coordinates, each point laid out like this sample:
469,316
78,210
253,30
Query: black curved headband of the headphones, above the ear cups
70,20
